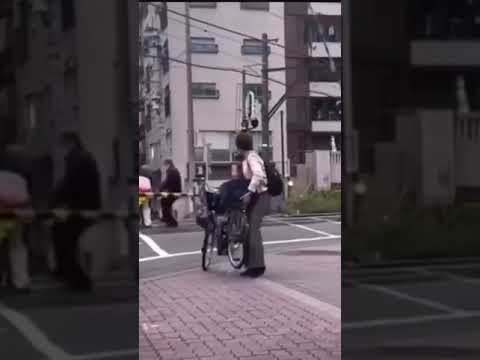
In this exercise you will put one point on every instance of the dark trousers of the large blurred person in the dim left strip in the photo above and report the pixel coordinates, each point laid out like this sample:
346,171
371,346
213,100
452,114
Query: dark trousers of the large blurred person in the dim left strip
66,237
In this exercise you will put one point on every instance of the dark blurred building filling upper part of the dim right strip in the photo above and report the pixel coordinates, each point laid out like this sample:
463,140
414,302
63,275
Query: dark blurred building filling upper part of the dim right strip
412,86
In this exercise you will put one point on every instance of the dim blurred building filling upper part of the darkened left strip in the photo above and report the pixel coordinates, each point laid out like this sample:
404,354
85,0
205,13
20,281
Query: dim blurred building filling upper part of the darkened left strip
73,76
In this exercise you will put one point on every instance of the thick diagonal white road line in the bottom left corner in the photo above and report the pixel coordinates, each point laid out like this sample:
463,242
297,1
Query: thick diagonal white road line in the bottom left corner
33,334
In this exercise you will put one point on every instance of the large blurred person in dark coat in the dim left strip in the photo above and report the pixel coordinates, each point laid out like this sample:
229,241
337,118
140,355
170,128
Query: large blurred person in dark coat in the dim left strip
78,190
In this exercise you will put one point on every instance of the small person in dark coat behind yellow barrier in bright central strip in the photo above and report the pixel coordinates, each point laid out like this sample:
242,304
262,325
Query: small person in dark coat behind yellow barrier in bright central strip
172,184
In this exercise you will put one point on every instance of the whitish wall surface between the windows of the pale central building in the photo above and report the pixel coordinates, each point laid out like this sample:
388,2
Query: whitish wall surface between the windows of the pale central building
221,114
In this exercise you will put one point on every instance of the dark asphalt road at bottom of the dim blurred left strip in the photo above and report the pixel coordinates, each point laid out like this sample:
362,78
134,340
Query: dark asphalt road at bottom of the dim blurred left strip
53,322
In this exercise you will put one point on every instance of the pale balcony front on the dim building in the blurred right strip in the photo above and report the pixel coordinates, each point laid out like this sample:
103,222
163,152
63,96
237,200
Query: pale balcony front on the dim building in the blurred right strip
445,52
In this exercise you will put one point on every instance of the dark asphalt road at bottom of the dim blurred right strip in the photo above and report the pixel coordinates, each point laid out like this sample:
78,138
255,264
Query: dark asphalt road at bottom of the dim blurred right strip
422,312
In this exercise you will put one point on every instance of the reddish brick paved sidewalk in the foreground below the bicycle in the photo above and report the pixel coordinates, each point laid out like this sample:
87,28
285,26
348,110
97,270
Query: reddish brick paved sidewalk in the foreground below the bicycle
220,315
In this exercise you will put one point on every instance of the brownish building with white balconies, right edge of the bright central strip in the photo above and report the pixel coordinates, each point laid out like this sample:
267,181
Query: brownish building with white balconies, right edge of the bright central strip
313,34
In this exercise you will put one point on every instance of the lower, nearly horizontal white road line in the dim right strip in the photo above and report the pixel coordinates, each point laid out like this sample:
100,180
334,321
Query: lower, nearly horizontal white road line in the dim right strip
408,321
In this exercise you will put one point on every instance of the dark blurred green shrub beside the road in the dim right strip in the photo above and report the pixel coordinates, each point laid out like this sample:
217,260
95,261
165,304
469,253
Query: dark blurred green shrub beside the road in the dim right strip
417,234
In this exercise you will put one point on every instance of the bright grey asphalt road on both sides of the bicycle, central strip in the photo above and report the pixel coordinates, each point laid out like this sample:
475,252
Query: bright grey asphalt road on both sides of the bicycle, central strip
164,252
